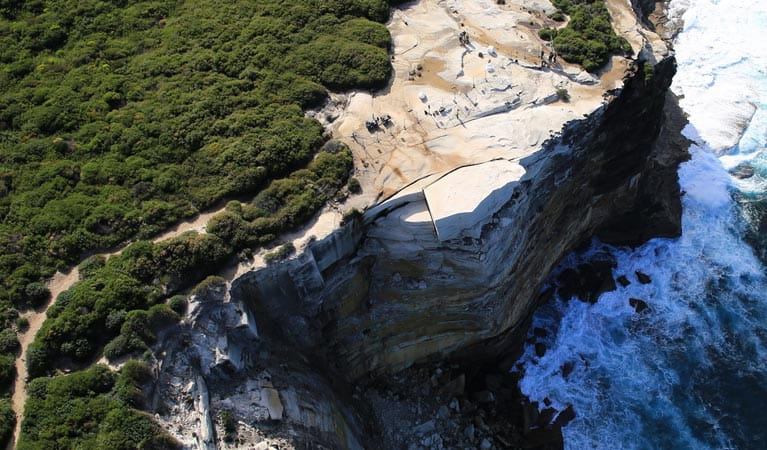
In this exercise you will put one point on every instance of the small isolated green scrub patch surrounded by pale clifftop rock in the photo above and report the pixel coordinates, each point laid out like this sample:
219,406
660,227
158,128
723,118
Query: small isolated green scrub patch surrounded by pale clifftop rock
588,38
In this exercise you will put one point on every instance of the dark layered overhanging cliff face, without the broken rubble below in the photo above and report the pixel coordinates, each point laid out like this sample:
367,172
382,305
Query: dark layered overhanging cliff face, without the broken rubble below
383,294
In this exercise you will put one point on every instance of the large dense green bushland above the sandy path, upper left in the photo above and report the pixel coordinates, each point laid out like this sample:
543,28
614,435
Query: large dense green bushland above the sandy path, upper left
120,117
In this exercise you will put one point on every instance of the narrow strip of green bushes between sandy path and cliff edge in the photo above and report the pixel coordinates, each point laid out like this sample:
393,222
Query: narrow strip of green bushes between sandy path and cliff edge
121,302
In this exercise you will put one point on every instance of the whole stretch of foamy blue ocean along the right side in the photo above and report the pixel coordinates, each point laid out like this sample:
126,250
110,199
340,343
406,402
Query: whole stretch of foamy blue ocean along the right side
691,372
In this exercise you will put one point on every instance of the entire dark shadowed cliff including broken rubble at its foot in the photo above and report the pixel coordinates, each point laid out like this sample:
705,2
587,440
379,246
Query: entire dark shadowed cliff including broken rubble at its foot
384,335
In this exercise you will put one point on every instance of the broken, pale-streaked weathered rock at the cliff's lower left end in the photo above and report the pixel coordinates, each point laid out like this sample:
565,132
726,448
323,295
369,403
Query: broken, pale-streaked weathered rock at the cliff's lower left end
218,364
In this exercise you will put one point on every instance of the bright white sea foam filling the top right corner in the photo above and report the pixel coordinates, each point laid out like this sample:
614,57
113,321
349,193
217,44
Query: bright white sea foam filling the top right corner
722,66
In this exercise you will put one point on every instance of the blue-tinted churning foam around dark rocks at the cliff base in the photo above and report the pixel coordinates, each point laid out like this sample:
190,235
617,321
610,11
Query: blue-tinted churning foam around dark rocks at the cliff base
626,384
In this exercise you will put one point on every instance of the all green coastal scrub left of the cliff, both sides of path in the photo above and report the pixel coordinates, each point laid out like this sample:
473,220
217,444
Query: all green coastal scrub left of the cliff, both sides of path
119,118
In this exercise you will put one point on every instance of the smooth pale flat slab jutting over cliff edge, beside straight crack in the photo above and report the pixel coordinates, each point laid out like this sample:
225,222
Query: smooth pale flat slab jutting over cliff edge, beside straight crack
465,199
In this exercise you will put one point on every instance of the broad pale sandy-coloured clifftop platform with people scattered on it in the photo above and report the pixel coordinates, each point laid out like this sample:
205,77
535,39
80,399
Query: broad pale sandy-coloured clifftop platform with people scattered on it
478,105
